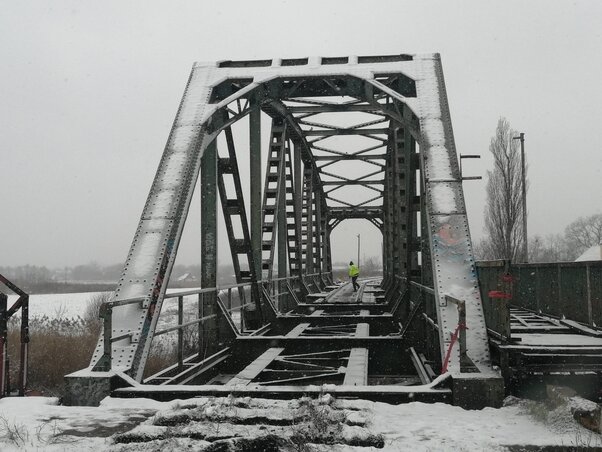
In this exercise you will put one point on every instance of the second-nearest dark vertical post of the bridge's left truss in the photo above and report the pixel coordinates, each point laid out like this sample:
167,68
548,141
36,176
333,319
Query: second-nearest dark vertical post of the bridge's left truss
255,182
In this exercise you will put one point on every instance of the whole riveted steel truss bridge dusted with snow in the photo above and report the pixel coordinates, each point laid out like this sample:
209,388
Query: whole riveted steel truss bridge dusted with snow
366,137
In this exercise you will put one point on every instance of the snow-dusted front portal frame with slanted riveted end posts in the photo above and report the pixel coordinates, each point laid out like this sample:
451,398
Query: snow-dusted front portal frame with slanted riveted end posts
417,101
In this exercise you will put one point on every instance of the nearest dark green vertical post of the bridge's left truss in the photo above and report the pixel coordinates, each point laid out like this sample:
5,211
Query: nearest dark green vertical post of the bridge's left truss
208,304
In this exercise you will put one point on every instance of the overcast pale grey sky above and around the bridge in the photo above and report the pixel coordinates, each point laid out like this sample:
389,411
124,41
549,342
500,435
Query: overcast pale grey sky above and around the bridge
89,91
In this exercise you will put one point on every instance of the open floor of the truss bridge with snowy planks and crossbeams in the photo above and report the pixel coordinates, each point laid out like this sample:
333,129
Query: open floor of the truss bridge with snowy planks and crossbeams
335,338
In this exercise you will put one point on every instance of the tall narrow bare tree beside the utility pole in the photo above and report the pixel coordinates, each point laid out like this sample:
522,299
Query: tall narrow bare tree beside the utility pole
503,211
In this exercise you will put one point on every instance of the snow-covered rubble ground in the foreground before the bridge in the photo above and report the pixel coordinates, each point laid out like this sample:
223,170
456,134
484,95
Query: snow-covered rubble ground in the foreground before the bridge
39,423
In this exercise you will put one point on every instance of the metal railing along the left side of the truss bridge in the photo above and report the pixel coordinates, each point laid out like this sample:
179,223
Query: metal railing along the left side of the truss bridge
231,302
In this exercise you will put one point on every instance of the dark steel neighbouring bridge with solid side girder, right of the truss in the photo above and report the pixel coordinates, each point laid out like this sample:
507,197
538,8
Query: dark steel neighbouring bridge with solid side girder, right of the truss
543,323
